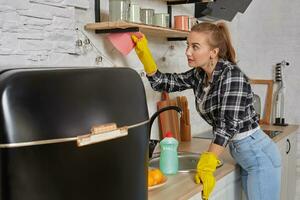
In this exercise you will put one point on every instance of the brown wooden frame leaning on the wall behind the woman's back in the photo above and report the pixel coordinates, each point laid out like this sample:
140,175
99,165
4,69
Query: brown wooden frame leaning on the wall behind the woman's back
268,102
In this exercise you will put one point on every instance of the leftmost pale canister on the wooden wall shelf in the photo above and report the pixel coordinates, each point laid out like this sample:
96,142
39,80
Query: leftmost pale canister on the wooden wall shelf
118,10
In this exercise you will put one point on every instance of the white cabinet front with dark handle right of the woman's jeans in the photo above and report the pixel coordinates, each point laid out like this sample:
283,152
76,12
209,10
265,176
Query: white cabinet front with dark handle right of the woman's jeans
288,151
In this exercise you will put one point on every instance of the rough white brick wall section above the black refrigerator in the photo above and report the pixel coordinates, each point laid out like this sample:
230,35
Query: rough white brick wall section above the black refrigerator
37,32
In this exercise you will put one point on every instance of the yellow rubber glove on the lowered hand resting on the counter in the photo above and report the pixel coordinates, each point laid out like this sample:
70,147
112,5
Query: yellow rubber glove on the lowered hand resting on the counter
206,166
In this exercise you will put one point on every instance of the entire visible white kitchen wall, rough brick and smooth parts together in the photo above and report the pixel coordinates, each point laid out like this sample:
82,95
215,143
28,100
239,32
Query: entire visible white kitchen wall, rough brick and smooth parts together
41,33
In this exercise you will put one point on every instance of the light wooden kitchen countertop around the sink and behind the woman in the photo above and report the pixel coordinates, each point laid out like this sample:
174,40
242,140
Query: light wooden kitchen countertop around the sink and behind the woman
182,185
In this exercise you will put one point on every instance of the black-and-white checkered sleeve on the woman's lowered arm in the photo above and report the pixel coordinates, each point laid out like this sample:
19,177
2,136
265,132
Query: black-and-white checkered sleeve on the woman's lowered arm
233,92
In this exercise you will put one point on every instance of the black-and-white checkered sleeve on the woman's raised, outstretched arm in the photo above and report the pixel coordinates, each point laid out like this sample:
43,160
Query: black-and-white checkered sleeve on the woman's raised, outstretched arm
172,82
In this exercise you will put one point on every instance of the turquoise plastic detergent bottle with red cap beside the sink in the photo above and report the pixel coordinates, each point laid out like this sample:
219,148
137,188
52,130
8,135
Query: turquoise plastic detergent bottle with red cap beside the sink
168,161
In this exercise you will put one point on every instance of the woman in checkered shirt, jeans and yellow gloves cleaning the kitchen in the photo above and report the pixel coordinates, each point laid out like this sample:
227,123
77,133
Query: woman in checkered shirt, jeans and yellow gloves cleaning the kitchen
225,100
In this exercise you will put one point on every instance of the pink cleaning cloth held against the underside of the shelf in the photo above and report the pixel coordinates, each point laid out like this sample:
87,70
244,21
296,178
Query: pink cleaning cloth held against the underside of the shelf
123,41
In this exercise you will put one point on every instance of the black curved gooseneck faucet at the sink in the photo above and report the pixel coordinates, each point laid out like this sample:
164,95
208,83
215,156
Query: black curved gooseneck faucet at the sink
153,143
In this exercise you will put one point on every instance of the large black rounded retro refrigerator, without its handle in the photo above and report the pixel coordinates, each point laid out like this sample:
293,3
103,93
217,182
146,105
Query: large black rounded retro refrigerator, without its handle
56,104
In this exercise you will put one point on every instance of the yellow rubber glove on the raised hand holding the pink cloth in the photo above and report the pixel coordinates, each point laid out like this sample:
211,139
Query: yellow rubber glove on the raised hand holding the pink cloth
144,54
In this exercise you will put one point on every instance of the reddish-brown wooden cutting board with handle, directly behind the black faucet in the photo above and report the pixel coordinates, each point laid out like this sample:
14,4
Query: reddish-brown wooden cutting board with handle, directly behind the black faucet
168,120
